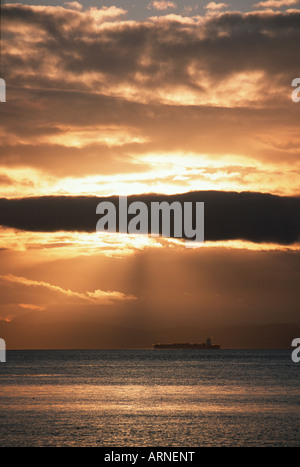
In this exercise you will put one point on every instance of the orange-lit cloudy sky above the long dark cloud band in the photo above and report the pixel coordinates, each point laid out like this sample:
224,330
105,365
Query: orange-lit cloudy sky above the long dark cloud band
101,104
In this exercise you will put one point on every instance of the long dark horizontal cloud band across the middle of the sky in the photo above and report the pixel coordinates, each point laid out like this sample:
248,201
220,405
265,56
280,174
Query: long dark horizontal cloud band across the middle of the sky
255,217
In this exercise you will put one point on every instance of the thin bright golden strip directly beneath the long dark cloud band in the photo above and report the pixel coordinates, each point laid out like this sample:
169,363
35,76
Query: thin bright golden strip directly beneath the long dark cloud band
47,246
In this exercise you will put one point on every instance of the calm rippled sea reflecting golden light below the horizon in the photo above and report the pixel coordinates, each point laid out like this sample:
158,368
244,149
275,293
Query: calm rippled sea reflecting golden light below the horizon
165,398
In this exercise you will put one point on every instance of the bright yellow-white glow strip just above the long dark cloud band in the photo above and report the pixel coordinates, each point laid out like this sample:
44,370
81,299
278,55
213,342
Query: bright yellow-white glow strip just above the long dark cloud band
169,174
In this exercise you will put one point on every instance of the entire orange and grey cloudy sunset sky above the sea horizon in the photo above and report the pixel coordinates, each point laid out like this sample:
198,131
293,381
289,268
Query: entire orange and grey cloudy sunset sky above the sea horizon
150,100
